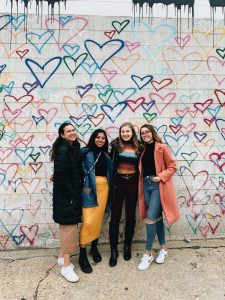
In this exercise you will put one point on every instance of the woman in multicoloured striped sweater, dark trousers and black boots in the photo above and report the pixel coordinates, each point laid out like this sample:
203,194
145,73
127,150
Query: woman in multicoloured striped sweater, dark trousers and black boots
124,153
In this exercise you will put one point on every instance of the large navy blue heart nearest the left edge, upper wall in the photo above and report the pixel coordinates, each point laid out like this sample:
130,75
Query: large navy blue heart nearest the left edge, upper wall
34,67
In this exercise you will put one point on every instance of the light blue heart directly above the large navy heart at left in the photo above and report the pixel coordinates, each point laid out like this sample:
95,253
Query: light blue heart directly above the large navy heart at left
38,41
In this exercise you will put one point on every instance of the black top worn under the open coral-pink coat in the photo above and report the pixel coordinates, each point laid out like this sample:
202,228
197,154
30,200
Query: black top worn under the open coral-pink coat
148,161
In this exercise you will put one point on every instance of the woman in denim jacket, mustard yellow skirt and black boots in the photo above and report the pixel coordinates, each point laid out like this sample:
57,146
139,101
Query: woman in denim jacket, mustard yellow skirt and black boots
97,169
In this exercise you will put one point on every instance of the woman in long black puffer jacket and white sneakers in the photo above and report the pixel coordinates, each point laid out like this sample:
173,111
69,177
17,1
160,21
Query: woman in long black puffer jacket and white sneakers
66,195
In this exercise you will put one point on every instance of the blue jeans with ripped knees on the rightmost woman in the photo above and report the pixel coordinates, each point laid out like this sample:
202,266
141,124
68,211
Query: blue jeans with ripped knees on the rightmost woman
154,213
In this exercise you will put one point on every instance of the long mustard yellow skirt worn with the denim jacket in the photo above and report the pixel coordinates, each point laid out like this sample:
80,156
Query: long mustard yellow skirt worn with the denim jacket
93,217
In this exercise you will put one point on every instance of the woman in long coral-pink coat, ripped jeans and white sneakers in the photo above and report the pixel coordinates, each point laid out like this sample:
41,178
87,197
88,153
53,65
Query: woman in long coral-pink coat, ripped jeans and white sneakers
156,192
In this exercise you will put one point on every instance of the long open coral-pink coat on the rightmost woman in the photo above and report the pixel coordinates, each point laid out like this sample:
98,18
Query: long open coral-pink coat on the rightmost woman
165,169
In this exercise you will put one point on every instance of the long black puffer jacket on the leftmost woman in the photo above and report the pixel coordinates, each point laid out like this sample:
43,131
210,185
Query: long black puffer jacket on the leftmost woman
67,184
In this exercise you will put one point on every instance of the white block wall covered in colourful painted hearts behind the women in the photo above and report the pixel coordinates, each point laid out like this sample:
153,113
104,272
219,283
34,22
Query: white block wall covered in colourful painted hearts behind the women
99,72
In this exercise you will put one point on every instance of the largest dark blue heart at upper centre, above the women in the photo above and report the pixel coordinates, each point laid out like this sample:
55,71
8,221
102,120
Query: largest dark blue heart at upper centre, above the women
96,51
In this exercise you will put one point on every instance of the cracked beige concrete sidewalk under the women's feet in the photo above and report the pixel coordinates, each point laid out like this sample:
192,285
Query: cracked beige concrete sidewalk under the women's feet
193,270
